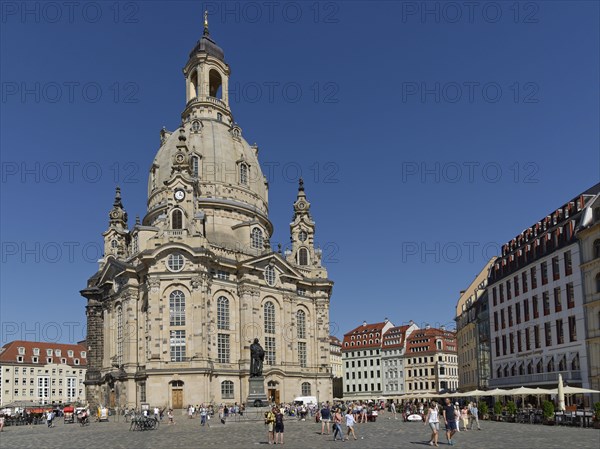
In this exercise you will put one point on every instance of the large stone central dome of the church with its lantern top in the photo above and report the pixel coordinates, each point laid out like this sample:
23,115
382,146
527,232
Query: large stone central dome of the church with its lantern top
225,194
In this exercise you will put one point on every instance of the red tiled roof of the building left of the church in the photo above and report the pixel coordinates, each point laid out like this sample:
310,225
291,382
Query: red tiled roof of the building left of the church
11,352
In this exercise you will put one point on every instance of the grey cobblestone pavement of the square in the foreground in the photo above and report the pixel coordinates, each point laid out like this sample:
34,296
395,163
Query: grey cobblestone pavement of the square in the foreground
383,434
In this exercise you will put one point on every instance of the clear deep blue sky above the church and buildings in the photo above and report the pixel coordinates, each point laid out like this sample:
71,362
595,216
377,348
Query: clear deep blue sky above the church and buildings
427,136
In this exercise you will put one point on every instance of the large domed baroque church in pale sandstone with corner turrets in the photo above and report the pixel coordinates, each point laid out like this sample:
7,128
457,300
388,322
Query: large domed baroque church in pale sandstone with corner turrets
179,297
